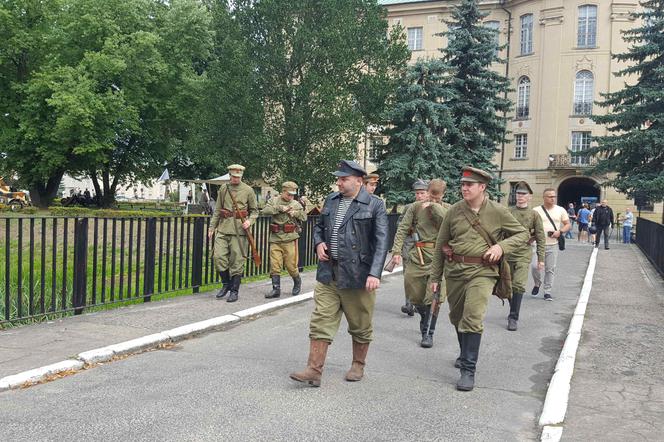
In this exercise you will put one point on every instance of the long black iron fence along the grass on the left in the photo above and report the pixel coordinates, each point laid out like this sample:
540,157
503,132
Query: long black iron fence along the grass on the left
61,265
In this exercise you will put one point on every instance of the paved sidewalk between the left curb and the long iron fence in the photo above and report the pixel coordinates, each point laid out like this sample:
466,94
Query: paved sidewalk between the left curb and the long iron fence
31,346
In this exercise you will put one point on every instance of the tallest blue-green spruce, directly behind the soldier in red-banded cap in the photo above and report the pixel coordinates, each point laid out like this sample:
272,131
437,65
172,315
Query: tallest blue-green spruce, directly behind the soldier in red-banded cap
478,103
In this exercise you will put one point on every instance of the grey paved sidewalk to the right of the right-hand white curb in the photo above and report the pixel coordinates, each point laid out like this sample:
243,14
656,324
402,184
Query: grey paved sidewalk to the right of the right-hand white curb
617,391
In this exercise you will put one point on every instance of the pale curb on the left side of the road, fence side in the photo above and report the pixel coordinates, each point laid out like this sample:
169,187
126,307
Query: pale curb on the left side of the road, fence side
138,345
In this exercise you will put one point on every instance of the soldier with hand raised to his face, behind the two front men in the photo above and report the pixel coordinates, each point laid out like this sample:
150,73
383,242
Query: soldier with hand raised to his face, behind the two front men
422,220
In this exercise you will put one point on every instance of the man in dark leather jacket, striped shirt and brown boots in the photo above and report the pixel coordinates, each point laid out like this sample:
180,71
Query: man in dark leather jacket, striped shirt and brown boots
351,243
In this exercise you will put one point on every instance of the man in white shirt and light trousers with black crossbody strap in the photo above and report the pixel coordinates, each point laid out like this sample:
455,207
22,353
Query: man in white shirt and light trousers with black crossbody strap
553,228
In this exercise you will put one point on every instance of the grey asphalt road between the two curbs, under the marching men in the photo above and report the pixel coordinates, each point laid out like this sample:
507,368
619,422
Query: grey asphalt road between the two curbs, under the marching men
234,385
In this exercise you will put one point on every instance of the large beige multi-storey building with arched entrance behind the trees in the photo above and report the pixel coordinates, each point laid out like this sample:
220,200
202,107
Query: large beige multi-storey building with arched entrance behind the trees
559,61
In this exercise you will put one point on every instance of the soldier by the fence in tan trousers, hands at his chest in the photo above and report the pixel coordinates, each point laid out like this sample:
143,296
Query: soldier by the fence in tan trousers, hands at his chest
287,214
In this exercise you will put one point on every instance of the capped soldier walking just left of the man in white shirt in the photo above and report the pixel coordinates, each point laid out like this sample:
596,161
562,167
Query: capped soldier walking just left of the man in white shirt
519,260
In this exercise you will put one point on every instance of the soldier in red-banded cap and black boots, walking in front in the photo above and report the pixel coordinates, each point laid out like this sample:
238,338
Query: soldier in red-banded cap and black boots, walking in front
470,264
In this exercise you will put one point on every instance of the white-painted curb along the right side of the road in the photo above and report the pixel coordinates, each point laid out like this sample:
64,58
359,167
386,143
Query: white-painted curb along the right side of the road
557,395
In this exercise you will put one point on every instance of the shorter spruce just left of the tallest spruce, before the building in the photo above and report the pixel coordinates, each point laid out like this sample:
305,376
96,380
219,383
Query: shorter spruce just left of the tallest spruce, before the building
417,126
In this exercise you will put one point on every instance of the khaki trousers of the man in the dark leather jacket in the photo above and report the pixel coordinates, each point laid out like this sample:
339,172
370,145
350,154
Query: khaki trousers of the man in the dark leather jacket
330,302
